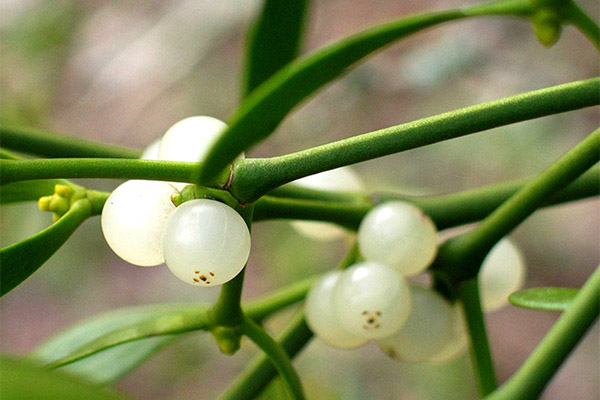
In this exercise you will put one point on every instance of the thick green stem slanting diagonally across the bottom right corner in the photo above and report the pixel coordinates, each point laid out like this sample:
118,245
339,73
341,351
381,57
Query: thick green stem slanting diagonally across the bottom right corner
535,373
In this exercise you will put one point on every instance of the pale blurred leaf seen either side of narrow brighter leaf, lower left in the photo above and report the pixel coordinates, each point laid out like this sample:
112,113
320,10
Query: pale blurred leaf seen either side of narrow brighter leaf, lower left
111,364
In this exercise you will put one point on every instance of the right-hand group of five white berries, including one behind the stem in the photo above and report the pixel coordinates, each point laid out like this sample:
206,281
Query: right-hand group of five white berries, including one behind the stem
373,300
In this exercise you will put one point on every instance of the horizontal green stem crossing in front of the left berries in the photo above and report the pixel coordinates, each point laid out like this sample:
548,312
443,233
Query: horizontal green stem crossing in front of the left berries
23,170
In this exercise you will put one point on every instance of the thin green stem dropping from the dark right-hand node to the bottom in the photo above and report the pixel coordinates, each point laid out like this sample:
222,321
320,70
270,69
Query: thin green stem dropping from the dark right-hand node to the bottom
479,344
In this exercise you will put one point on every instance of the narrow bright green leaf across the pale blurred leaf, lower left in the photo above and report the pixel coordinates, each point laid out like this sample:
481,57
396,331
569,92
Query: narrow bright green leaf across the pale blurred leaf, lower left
161,322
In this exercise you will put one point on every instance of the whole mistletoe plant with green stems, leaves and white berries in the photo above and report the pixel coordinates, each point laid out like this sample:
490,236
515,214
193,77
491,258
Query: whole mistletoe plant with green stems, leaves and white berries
195,212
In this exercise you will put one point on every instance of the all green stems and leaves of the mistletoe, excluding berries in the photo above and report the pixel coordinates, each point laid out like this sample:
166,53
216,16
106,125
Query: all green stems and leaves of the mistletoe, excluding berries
106,348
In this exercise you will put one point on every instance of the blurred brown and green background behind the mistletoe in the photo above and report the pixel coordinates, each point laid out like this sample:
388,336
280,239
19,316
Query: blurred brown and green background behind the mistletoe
124,72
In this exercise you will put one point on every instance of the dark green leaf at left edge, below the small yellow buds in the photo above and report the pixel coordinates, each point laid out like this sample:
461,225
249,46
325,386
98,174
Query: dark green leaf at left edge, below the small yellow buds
18,261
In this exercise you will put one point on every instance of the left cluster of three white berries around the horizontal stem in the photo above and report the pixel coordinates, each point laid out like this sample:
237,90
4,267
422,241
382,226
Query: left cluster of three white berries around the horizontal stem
203,242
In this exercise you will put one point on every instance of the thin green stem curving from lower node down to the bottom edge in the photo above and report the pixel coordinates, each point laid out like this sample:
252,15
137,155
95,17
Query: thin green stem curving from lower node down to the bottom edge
277,355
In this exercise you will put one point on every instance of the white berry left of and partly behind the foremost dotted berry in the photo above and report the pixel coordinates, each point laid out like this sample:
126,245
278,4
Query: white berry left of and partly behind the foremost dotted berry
133,220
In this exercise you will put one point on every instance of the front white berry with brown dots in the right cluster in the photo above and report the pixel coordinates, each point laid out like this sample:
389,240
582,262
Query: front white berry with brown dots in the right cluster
371,300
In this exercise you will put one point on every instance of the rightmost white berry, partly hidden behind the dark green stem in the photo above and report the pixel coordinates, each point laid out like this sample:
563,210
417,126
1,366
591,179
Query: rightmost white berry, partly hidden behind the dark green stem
502,273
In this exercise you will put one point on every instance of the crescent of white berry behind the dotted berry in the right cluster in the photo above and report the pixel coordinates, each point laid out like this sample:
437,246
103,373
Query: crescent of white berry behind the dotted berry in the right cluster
320,317
